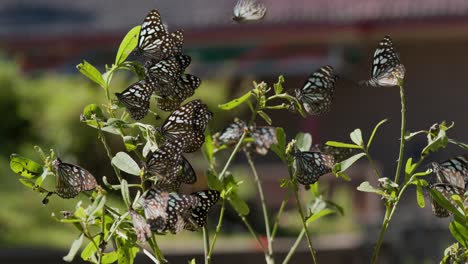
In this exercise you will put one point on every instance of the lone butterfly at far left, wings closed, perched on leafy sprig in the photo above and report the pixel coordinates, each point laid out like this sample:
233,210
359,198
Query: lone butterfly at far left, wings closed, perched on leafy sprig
71,179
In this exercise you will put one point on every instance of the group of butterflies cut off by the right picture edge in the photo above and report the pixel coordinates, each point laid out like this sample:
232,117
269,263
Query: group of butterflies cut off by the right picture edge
451,178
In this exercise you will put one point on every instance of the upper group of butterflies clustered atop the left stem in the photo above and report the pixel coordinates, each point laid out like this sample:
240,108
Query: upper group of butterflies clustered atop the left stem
164,70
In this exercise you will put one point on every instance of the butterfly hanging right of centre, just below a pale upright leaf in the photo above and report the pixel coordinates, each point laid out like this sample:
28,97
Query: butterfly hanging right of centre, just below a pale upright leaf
310,166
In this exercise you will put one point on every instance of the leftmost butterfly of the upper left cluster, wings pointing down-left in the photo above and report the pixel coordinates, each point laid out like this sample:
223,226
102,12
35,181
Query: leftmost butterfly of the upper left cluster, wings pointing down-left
136,98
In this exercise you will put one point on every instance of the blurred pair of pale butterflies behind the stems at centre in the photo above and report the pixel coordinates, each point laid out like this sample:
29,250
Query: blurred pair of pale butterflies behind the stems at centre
263,137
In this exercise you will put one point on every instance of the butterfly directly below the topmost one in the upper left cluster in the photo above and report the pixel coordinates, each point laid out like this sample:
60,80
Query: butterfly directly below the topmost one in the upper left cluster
165,73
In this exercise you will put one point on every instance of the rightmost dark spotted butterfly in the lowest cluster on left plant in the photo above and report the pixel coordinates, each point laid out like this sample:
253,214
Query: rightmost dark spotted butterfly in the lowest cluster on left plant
206,200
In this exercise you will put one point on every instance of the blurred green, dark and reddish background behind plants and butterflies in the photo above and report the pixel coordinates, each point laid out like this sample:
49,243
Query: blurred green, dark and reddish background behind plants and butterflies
42,95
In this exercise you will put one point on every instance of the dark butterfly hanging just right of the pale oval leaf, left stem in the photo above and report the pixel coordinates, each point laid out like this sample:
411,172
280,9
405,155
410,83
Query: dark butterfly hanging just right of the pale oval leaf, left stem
163,164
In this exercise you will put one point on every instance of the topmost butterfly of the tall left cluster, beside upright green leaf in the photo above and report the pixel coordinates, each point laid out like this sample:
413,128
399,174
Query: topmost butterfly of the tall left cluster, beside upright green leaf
155,42
